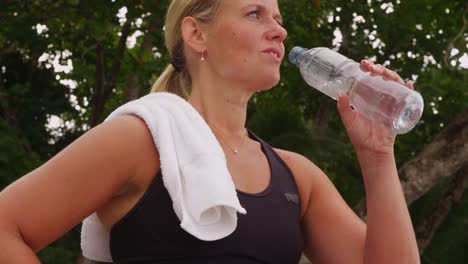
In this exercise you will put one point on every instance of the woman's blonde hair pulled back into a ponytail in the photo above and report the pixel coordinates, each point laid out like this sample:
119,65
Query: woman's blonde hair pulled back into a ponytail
178,81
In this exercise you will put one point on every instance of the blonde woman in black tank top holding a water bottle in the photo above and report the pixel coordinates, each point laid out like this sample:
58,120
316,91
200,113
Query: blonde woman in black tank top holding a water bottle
223,52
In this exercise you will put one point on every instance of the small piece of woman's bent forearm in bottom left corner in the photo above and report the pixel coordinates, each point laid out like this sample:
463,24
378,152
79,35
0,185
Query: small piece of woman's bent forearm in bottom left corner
15,250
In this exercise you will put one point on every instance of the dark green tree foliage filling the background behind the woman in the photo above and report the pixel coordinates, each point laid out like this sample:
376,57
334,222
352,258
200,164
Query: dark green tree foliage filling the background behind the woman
292,116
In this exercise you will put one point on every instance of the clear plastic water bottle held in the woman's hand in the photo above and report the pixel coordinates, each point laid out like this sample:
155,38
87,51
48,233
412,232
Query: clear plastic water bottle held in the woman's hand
383,101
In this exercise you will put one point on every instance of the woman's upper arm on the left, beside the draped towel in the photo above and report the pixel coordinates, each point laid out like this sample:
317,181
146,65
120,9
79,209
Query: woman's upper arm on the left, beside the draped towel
47,202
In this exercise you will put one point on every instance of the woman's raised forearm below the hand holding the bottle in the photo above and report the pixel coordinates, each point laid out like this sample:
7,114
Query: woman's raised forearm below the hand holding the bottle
390,235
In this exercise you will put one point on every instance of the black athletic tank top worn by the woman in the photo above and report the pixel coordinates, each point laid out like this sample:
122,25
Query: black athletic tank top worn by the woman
269,233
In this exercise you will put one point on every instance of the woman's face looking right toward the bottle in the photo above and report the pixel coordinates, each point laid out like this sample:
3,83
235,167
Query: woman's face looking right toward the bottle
245,44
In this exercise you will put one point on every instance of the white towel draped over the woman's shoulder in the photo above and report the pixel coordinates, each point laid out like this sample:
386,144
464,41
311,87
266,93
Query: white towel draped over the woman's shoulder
194,173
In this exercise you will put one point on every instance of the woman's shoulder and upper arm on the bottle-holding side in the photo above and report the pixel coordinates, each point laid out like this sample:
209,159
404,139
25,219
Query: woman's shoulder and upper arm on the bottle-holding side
332,232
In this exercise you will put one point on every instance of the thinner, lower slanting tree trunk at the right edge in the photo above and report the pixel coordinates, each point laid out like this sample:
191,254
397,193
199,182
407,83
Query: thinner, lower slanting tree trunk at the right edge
450,198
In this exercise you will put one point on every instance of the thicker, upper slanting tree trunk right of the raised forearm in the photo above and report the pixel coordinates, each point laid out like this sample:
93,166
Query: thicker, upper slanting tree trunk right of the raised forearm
441,159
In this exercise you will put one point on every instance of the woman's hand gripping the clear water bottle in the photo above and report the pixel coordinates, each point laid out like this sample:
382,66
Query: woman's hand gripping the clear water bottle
365,135
